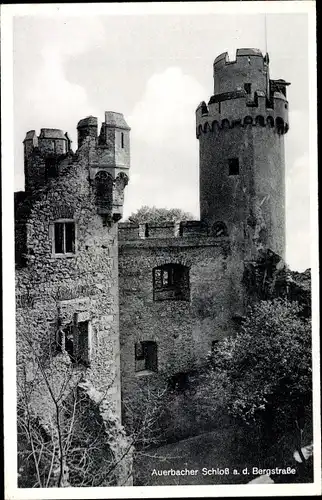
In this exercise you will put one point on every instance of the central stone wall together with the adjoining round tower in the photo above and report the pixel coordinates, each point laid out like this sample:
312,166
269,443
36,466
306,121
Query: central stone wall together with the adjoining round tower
242,195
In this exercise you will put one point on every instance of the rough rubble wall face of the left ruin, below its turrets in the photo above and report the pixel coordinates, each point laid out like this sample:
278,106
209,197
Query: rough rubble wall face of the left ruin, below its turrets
54,287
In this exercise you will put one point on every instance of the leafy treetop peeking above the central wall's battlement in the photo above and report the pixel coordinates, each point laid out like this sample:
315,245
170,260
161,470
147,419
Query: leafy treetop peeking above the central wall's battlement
154,215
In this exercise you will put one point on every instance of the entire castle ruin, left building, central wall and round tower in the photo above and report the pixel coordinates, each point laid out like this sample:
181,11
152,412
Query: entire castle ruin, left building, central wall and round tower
142,304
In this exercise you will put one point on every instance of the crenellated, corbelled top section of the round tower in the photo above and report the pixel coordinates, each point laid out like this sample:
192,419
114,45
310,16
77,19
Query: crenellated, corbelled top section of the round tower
244,95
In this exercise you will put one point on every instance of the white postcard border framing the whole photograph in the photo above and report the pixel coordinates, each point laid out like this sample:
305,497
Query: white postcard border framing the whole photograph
198,8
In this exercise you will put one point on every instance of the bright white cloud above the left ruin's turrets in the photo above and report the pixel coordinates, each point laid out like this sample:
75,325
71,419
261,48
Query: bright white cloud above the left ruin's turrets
46,98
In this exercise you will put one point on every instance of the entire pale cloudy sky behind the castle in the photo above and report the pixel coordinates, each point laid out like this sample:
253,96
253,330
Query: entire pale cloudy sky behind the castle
155,69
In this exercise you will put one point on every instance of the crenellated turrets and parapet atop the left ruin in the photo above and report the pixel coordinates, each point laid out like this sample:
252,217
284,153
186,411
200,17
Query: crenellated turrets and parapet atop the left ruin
107,157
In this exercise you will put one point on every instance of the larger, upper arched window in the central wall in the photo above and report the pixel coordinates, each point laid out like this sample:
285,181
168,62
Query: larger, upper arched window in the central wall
171,282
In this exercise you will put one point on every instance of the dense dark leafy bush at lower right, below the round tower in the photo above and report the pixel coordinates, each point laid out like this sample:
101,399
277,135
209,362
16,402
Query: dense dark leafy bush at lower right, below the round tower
263,374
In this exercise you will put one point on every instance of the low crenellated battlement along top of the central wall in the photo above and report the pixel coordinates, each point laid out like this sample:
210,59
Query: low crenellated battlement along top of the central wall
184,229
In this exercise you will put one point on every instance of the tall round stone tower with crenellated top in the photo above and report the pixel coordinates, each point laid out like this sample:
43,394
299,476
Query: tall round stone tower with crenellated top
241,143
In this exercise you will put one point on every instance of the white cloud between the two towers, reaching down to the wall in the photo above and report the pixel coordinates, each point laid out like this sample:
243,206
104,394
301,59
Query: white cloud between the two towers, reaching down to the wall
164,147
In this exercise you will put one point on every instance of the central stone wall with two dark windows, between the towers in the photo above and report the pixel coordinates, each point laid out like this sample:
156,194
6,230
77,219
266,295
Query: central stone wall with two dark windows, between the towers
183,330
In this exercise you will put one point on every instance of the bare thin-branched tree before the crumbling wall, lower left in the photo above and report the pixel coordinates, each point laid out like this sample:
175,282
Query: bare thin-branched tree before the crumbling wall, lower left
68,432
